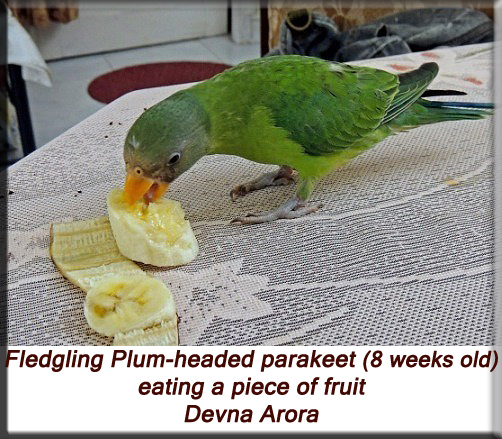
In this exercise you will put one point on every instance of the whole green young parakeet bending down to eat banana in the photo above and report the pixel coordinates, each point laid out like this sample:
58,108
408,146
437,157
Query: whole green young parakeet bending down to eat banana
304,114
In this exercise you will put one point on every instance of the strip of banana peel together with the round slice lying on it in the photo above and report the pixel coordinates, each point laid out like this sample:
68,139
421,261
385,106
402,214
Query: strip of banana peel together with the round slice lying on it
121,298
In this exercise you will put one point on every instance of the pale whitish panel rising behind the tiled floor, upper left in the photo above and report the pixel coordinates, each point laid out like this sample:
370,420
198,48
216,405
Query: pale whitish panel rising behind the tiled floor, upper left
107,26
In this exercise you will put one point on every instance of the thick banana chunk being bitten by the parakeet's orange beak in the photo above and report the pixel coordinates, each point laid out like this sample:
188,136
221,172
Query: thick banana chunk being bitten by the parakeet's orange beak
157,234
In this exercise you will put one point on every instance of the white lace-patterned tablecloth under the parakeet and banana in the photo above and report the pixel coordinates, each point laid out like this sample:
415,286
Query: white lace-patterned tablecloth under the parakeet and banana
400,254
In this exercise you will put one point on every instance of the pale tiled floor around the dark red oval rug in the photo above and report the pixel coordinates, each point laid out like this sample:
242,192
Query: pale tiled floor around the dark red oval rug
66,103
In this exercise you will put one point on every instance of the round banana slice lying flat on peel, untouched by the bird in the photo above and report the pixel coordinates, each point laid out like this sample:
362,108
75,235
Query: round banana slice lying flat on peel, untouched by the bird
121,304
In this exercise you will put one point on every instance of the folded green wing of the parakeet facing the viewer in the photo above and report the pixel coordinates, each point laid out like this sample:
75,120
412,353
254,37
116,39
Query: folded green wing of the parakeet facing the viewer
335,106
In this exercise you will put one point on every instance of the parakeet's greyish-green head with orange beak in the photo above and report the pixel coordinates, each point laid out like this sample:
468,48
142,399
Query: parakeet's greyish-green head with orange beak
165,141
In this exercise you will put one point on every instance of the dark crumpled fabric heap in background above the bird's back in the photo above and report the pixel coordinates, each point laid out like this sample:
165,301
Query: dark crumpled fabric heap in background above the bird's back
313,34
